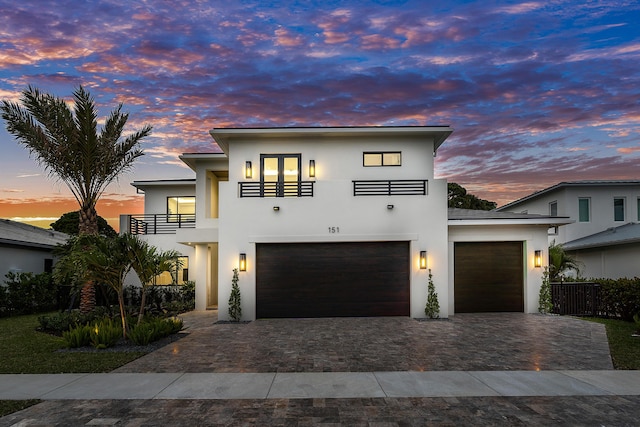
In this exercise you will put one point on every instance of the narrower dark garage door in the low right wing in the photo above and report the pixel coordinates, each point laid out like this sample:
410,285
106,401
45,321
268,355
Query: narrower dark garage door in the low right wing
488,277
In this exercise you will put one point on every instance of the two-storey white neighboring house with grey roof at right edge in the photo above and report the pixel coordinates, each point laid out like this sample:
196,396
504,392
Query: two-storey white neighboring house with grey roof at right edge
604,235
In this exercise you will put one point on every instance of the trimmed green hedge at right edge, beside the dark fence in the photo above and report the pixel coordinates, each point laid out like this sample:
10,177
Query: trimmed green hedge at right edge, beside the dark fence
620,297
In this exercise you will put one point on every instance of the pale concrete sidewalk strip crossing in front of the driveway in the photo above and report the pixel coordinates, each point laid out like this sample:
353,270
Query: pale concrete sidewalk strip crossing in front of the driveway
301,385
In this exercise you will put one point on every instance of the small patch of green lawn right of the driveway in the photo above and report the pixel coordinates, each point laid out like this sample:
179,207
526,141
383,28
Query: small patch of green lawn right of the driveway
624,348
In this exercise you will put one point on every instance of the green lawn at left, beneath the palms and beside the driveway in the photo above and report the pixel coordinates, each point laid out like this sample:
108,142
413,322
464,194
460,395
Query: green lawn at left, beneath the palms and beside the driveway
23,350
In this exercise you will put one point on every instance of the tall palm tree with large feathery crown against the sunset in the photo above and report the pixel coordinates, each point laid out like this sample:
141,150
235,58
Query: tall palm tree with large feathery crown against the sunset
70,147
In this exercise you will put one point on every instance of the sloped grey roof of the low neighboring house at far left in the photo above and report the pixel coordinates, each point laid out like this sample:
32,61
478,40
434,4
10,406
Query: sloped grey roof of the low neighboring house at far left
19,234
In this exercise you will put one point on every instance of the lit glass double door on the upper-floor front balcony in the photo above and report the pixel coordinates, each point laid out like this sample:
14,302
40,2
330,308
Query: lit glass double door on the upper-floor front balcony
280,175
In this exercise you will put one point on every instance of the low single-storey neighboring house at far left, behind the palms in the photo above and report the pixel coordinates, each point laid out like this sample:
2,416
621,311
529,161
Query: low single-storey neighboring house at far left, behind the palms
27,249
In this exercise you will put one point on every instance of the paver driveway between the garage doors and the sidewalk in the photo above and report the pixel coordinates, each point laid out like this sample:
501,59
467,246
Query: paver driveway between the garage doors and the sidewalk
496,341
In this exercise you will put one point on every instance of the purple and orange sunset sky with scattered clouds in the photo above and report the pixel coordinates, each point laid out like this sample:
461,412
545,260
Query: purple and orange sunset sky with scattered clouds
537,92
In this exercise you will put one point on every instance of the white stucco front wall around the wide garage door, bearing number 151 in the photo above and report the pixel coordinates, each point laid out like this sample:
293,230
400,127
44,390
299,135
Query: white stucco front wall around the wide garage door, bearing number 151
421,220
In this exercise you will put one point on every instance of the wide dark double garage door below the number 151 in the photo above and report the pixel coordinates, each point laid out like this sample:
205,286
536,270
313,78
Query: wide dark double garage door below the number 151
332,279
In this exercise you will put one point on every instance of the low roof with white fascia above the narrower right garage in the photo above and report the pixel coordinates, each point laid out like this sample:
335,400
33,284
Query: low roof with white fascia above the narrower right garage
478,217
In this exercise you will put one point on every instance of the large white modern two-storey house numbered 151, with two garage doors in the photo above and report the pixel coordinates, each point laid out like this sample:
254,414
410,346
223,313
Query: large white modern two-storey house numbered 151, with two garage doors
341,221
